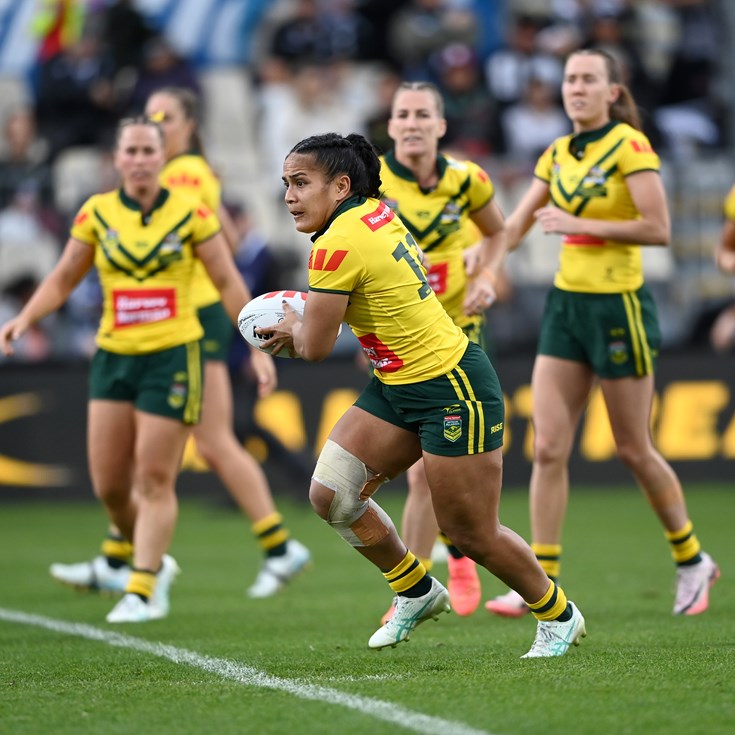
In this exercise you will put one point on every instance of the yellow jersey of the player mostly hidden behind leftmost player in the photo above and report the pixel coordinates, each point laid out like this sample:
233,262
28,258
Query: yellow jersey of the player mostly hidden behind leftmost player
191,176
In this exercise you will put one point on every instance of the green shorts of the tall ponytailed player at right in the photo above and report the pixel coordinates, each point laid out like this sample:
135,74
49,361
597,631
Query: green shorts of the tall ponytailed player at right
617,335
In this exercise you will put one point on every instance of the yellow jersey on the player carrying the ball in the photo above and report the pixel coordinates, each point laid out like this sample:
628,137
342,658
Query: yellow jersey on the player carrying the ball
366,252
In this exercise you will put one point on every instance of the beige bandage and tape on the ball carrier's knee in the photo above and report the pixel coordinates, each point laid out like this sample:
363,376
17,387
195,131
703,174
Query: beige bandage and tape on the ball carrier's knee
353,514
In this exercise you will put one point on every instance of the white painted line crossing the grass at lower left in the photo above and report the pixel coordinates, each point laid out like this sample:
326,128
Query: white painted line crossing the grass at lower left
227,669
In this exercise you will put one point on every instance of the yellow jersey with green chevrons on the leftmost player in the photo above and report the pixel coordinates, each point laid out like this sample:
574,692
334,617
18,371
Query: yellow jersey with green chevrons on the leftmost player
145,264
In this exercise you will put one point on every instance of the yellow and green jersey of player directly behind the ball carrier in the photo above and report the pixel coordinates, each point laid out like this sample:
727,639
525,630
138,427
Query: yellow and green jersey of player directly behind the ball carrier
439,220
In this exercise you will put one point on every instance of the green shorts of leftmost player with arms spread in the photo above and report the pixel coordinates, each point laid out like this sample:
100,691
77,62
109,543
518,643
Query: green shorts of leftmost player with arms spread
166,383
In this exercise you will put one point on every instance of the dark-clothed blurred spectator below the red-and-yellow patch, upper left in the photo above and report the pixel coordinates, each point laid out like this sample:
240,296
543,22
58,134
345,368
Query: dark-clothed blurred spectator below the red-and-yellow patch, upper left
75,102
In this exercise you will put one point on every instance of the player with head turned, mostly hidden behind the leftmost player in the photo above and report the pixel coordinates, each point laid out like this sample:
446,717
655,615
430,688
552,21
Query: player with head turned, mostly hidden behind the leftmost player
188,173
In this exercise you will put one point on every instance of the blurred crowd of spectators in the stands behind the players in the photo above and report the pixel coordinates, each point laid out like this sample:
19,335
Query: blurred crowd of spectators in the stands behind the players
321,65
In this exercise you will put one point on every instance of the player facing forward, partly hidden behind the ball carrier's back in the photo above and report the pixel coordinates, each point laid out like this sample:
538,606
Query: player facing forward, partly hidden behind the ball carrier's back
439,199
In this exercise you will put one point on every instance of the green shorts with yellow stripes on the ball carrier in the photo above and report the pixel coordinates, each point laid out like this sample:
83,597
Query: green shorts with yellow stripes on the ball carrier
459,413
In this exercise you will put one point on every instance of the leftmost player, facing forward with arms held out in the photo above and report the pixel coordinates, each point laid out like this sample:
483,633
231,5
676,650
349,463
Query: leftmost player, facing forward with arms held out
145,389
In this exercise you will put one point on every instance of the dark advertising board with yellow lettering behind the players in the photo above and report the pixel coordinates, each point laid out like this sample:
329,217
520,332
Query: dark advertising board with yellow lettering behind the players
43,425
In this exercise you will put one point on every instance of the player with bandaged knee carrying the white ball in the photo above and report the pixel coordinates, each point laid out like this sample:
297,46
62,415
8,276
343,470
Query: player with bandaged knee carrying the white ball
433,395
